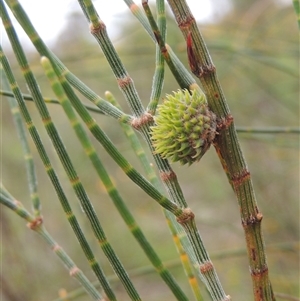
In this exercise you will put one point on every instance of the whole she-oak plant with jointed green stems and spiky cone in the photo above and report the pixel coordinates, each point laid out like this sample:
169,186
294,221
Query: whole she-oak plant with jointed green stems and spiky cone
191,119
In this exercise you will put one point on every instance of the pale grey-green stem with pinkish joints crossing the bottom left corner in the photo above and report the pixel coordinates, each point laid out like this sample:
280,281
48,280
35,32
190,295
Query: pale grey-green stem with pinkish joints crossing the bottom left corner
36,224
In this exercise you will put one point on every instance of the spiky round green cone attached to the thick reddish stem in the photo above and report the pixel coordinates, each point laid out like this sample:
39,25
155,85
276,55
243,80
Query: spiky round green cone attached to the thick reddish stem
185,127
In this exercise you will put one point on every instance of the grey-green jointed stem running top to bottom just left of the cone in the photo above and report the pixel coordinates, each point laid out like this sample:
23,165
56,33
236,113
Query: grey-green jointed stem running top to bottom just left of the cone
142,122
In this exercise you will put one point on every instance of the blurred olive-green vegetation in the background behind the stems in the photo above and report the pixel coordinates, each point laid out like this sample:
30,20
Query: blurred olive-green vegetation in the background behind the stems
255,49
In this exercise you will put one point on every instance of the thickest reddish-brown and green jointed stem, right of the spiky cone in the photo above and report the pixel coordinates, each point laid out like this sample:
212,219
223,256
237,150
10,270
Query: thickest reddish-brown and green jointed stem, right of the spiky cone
228,148
